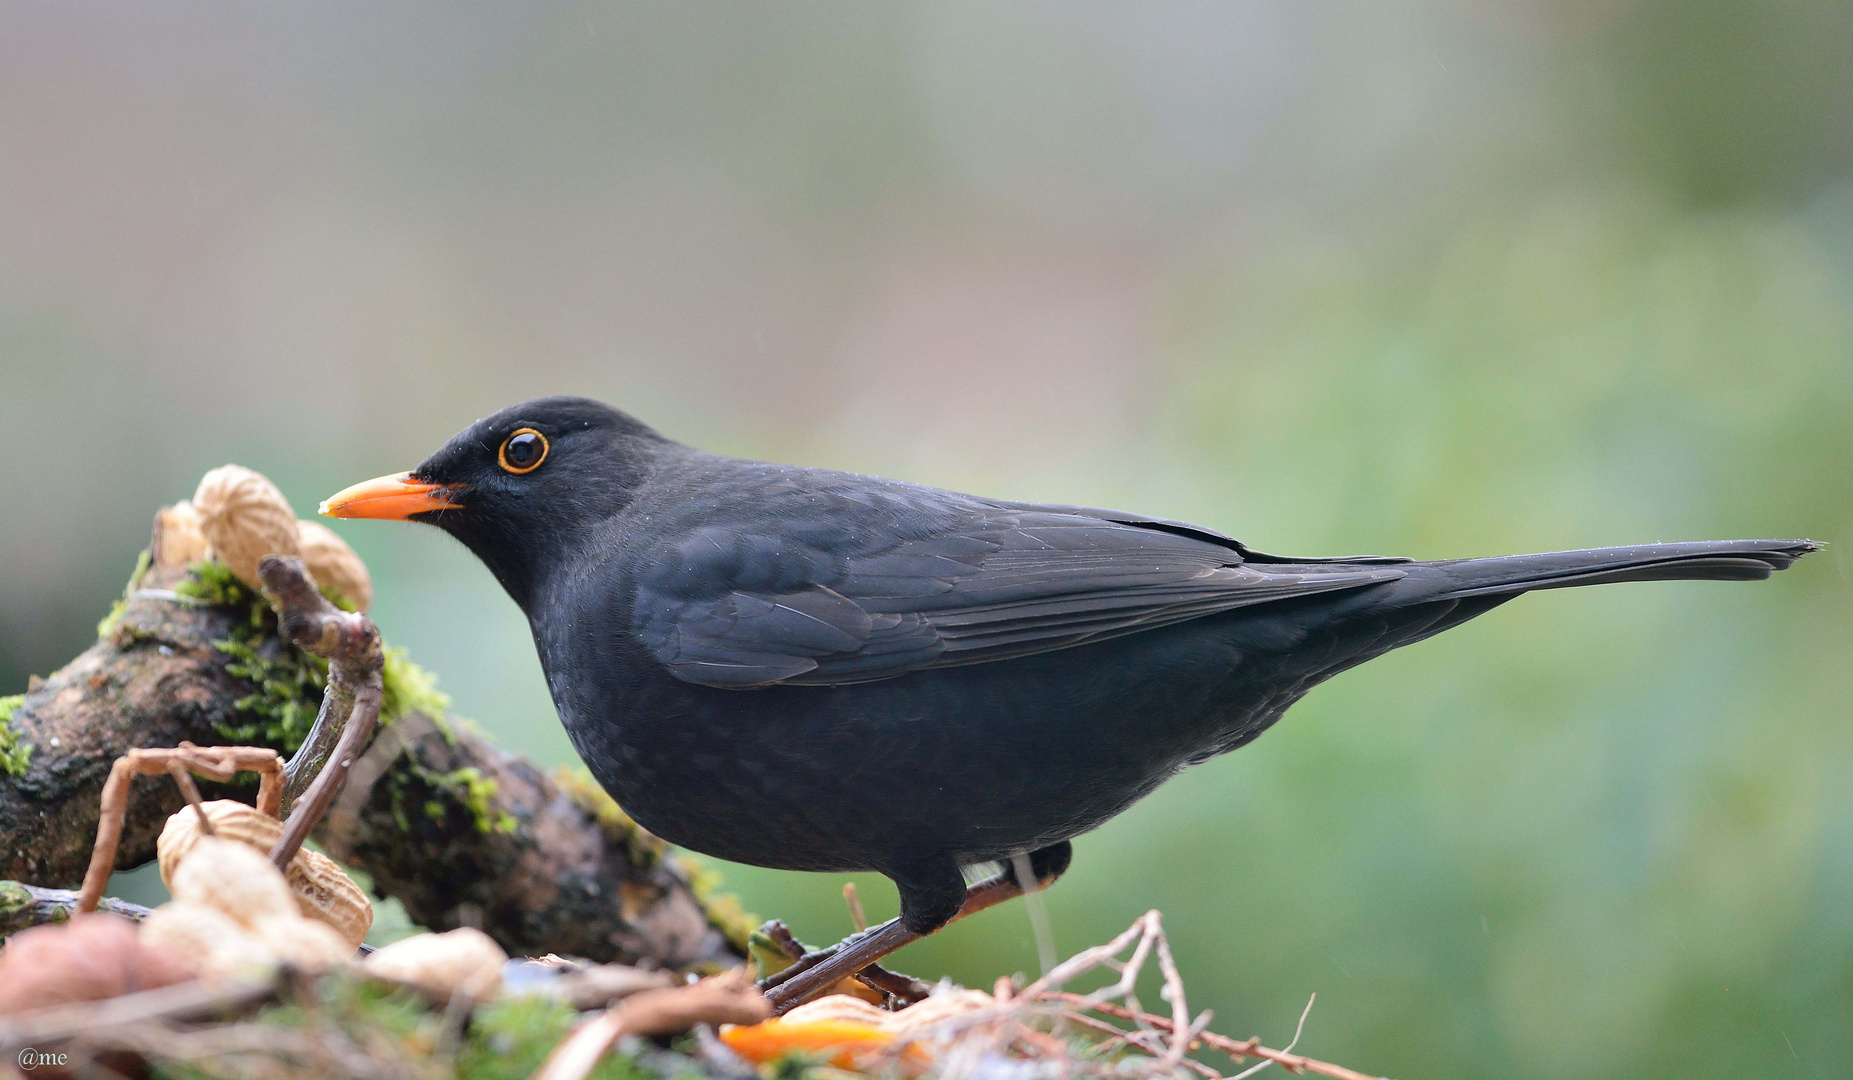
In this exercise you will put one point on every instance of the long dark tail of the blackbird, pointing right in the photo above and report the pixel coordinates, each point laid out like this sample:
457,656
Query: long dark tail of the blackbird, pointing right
1511,575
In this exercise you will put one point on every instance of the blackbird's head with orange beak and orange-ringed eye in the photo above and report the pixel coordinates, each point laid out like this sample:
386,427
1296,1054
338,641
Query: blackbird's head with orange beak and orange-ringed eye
518,488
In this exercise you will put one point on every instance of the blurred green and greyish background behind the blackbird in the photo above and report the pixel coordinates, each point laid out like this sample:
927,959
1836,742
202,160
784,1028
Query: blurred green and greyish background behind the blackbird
1433,281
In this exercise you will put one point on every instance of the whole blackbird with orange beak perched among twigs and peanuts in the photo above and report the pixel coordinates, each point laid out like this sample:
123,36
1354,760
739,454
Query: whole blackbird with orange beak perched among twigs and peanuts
824,672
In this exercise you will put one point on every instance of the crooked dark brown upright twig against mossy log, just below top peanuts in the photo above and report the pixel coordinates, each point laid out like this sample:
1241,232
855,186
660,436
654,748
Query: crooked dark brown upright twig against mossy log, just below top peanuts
351,644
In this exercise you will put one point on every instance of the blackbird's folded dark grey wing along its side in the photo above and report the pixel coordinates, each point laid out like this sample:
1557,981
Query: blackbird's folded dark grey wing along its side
866,584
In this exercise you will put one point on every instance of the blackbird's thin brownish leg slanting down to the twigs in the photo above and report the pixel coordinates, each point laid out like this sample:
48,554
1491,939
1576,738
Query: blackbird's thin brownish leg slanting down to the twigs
826,968
